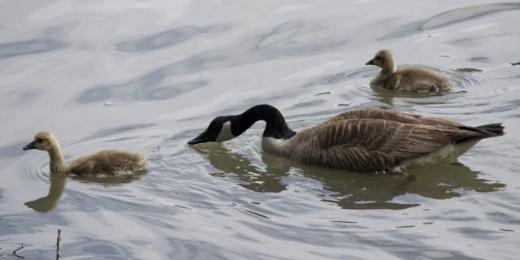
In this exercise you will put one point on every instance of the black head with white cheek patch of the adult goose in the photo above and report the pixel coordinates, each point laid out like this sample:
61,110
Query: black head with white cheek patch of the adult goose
219,130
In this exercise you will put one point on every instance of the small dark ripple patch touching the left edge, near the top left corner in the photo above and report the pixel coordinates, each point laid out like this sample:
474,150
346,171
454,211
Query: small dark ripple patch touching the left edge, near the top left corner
13,49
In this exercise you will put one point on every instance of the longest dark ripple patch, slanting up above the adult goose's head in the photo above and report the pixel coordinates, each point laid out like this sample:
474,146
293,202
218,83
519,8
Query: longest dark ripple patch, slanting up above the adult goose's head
289,39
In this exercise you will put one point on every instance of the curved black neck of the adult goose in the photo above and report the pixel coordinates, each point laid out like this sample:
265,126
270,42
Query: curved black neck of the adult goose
276,126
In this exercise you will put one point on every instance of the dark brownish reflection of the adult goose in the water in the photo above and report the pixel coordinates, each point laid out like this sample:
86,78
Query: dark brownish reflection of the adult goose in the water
349,190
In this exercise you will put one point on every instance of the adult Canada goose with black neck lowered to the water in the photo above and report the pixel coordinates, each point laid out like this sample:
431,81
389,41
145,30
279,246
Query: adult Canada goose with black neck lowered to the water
367,140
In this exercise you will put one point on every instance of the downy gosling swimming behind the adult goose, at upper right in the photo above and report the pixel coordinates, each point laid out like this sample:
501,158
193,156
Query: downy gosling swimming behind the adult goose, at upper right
413,79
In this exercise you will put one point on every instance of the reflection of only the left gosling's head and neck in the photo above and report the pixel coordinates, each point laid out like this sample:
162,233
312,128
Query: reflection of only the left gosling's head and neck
49,202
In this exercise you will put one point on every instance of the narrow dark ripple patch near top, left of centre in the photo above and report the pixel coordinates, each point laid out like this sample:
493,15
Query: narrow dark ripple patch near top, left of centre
168,38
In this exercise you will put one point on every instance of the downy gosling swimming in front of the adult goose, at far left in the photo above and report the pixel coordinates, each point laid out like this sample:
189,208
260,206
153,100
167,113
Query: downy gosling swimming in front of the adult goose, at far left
101,164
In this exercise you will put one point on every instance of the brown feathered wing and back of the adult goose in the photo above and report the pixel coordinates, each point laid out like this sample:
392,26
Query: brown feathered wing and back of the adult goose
375,144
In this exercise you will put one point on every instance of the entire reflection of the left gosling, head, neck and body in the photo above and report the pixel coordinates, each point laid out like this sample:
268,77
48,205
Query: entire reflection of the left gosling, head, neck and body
57,186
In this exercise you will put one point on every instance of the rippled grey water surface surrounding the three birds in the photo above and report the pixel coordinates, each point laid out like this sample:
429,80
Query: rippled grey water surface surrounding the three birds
147,76
